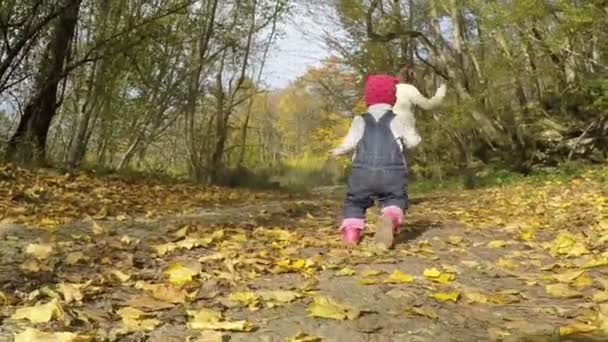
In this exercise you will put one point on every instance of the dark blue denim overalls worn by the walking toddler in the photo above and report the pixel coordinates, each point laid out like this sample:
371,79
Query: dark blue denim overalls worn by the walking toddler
378,170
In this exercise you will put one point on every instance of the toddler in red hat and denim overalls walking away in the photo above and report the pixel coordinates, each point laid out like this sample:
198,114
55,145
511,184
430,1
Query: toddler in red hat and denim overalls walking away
379,168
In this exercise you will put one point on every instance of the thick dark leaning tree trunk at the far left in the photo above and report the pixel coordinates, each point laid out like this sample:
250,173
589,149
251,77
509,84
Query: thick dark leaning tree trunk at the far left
28,143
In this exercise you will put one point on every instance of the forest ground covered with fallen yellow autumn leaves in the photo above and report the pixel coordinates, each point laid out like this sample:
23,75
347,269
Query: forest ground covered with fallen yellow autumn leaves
524,262
